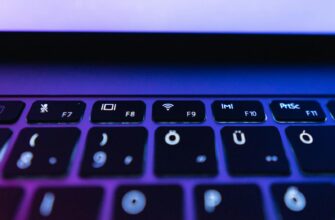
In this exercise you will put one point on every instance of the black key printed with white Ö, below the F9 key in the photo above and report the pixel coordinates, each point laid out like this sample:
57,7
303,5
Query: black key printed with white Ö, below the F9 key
185,151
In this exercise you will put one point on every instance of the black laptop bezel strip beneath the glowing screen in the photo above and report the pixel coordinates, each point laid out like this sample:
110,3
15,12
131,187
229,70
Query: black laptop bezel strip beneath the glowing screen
180,47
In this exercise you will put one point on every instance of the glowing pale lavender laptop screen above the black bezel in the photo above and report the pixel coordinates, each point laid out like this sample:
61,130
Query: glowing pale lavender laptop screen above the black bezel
217,16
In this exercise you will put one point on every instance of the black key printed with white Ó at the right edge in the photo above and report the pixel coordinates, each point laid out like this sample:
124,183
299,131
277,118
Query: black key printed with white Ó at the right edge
313,147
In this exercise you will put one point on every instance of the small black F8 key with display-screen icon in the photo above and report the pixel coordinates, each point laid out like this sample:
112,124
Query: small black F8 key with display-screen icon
118,111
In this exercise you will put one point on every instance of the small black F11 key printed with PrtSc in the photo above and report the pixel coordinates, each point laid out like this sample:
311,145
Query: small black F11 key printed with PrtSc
297,111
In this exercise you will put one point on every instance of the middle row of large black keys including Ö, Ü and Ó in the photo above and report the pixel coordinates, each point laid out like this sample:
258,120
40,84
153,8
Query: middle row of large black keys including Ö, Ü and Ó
178,151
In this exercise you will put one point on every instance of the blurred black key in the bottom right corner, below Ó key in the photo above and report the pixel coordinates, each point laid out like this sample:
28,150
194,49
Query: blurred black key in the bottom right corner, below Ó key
305,201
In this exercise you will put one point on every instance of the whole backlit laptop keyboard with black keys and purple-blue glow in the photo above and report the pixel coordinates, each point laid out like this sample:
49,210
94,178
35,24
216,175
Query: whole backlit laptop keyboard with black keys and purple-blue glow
167,158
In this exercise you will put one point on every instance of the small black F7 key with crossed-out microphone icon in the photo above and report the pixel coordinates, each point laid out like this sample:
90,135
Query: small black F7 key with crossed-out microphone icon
56,111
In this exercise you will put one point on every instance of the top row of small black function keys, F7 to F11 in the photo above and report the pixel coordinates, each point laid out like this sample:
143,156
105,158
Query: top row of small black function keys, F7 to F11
164,111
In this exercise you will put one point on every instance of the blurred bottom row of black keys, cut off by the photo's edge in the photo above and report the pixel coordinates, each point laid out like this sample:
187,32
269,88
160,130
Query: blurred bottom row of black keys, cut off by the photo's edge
299,201
